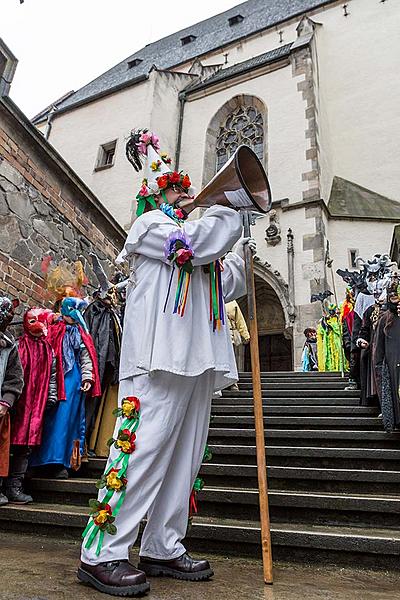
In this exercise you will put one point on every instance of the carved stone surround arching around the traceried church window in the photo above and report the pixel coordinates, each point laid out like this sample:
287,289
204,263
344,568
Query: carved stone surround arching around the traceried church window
231,107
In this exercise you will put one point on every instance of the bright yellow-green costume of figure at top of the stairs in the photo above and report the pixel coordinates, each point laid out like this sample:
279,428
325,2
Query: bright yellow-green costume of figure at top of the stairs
329,341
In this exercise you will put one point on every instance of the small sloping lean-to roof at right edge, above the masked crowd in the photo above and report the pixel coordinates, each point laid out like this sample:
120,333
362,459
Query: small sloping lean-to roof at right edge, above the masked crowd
349,200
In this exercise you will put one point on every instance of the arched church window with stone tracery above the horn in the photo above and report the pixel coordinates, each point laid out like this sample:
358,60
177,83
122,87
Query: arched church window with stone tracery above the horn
244,125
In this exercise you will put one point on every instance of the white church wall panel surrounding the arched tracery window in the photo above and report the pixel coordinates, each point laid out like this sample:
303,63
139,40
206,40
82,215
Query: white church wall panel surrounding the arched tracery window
286,142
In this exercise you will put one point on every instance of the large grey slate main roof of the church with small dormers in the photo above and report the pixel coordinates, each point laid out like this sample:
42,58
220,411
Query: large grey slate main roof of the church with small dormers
210,34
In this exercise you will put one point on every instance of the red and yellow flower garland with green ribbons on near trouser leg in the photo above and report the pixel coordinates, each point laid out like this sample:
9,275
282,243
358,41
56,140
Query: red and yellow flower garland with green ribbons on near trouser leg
114,478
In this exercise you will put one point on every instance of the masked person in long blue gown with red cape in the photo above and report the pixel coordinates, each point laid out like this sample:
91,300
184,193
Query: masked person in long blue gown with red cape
77,374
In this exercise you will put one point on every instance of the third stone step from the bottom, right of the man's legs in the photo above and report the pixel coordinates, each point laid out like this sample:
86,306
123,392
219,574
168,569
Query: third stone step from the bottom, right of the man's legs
304,478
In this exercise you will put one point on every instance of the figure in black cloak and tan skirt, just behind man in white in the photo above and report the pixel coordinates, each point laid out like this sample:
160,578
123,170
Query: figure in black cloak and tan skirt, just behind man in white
103,320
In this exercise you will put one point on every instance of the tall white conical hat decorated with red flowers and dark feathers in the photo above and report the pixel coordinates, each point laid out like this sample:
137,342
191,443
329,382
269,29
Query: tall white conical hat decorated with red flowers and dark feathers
143,147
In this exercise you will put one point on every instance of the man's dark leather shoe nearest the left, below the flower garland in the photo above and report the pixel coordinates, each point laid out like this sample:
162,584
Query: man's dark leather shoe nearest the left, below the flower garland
117,578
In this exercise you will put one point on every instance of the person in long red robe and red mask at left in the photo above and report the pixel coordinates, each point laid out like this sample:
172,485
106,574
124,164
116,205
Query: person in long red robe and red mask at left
40,392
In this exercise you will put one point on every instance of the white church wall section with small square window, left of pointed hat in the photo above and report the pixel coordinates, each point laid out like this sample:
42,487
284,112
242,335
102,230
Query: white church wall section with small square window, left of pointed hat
78,134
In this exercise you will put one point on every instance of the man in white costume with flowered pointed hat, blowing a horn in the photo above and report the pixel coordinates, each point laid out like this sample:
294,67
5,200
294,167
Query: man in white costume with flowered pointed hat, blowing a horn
176,351
